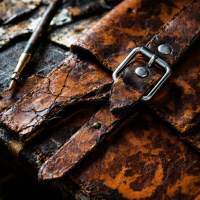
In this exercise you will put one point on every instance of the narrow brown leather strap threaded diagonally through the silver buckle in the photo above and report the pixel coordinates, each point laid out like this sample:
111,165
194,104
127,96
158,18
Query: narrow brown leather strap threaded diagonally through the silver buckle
86,139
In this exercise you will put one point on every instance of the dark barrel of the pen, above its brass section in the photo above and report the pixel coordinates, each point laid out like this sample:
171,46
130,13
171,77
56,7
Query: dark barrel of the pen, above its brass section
42,27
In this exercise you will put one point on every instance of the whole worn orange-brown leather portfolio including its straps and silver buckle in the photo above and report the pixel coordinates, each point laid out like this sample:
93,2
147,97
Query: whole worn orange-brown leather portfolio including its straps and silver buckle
120,116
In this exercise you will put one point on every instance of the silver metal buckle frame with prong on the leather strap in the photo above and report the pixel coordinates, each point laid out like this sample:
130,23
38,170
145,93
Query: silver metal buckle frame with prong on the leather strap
153,58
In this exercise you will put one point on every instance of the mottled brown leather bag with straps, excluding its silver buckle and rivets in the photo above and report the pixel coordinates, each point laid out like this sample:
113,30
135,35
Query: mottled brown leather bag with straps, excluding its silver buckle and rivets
145,148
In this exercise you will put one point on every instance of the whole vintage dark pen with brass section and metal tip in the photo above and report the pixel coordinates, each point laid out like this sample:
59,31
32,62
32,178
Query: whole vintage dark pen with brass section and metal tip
34,41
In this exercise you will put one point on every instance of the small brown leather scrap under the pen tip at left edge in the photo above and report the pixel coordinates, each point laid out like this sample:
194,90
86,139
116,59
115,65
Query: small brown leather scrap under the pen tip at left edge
9,98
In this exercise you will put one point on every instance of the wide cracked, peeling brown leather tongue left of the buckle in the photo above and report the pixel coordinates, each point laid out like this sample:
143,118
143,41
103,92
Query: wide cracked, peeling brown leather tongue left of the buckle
69,83
